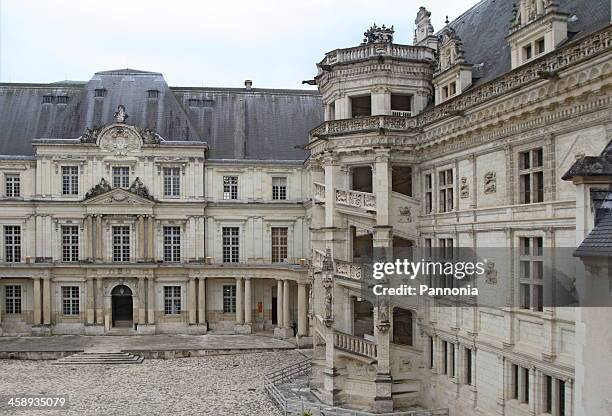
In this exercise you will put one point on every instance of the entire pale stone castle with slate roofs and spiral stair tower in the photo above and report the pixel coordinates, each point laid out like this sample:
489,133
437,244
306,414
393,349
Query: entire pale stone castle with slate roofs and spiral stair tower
131,206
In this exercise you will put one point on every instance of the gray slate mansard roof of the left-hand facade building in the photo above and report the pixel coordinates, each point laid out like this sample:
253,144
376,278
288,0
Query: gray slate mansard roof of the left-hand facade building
237,123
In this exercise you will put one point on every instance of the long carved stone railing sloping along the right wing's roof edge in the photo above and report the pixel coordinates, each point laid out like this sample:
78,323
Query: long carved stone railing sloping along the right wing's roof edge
551,63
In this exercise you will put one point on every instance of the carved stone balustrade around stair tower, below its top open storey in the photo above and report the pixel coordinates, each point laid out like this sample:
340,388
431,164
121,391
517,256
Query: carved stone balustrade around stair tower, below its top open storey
362,124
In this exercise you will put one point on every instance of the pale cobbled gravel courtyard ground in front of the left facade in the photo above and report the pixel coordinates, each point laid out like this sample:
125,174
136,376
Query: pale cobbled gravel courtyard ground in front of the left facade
217,385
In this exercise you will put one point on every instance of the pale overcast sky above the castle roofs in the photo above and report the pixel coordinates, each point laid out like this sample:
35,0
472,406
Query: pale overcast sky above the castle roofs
220,43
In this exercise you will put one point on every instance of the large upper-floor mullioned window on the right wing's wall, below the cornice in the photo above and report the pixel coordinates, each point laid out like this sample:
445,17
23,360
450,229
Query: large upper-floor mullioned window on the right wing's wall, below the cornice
531,176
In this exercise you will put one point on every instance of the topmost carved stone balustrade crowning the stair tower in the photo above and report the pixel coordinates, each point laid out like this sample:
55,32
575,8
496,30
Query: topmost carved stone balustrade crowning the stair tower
374,50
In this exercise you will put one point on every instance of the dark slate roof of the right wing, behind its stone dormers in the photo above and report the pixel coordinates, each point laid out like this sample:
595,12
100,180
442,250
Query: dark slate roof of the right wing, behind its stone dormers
484,27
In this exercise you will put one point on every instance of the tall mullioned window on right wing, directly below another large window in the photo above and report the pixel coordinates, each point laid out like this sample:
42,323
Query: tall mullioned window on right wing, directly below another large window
531,273
